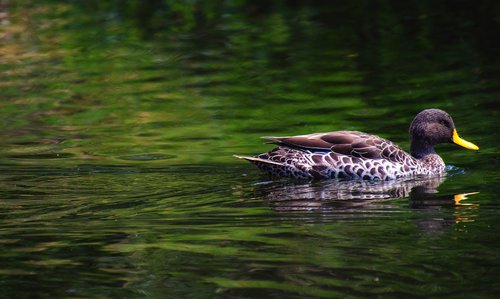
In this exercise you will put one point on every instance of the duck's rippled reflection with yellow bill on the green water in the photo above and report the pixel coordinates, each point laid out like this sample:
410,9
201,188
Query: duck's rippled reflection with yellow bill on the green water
363,196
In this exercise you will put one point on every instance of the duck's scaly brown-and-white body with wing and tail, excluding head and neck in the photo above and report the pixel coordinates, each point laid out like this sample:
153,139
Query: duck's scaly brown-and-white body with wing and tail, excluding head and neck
342,154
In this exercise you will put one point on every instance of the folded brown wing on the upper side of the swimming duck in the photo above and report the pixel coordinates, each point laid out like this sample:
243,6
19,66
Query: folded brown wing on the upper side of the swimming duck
349,143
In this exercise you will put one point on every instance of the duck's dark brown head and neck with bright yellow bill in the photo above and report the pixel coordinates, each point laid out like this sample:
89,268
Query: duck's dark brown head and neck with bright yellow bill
431,127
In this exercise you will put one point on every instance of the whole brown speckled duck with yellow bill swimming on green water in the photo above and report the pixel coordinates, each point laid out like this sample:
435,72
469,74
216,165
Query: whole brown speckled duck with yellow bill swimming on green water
358,155
